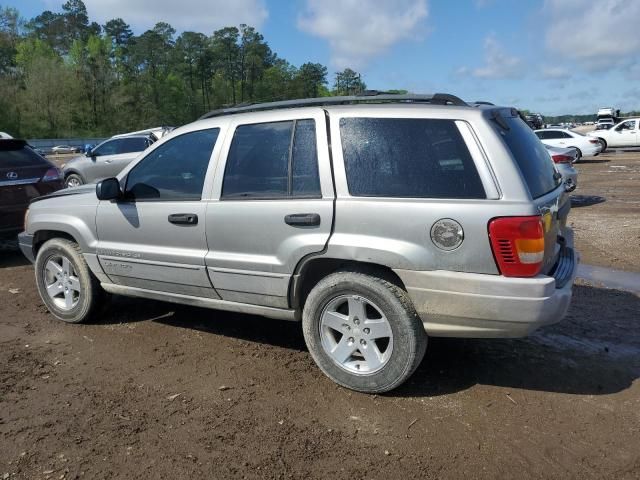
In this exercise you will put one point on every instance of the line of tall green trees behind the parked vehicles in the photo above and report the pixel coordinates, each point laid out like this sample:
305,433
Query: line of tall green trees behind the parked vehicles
63,75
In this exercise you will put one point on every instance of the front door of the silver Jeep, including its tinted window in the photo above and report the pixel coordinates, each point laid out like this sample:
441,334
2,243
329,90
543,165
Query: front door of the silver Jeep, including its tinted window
154,238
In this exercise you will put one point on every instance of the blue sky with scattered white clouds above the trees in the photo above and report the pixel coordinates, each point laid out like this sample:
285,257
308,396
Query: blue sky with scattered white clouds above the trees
549,56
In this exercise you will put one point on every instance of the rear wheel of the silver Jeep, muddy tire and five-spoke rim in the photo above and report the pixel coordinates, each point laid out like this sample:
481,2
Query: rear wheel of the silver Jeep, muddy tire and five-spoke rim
394,344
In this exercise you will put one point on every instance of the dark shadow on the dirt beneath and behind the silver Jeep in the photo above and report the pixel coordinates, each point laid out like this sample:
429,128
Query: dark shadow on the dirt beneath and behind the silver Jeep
594,351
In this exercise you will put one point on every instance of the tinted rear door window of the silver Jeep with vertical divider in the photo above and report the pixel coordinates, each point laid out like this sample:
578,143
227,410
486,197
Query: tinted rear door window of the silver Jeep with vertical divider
273,160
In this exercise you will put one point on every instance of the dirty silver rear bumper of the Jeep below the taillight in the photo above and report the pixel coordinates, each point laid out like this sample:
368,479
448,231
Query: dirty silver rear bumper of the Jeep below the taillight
456,304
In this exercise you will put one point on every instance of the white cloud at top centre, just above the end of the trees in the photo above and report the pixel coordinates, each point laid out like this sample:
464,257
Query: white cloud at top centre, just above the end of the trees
357,30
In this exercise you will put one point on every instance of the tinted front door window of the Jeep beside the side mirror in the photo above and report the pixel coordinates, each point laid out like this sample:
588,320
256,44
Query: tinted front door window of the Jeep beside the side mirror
174,170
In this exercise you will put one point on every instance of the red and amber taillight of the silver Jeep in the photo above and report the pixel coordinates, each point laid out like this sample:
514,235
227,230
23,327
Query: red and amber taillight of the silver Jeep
518,245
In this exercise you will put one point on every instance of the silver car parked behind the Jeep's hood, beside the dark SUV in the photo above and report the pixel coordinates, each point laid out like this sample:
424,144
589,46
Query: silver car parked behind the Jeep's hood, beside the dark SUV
105,160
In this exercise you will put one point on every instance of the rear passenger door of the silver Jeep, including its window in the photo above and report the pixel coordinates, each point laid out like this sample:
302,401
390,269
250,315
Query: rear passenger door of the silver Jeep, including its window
273,205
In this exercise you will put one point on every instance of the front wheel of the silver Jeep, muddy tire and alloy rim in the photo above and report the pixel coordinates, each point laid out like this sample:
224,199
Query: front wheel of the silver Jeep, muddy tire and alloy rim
78,292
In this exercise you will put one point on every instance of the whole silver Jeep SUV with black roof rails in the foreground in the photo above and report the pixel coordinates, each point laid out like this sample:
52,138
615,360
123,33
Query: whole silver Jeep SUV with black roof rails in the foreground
375,221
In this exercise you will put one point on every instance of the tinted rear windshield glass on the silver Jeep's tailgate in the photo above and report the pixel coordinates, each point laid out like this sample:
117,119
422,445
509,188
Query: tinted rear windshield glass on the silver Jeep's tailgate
531,156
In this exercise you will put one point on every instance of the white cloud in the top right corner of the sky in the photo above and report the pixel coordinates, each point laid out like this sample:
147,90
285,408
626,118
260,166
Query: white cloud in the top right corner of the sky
597,34
